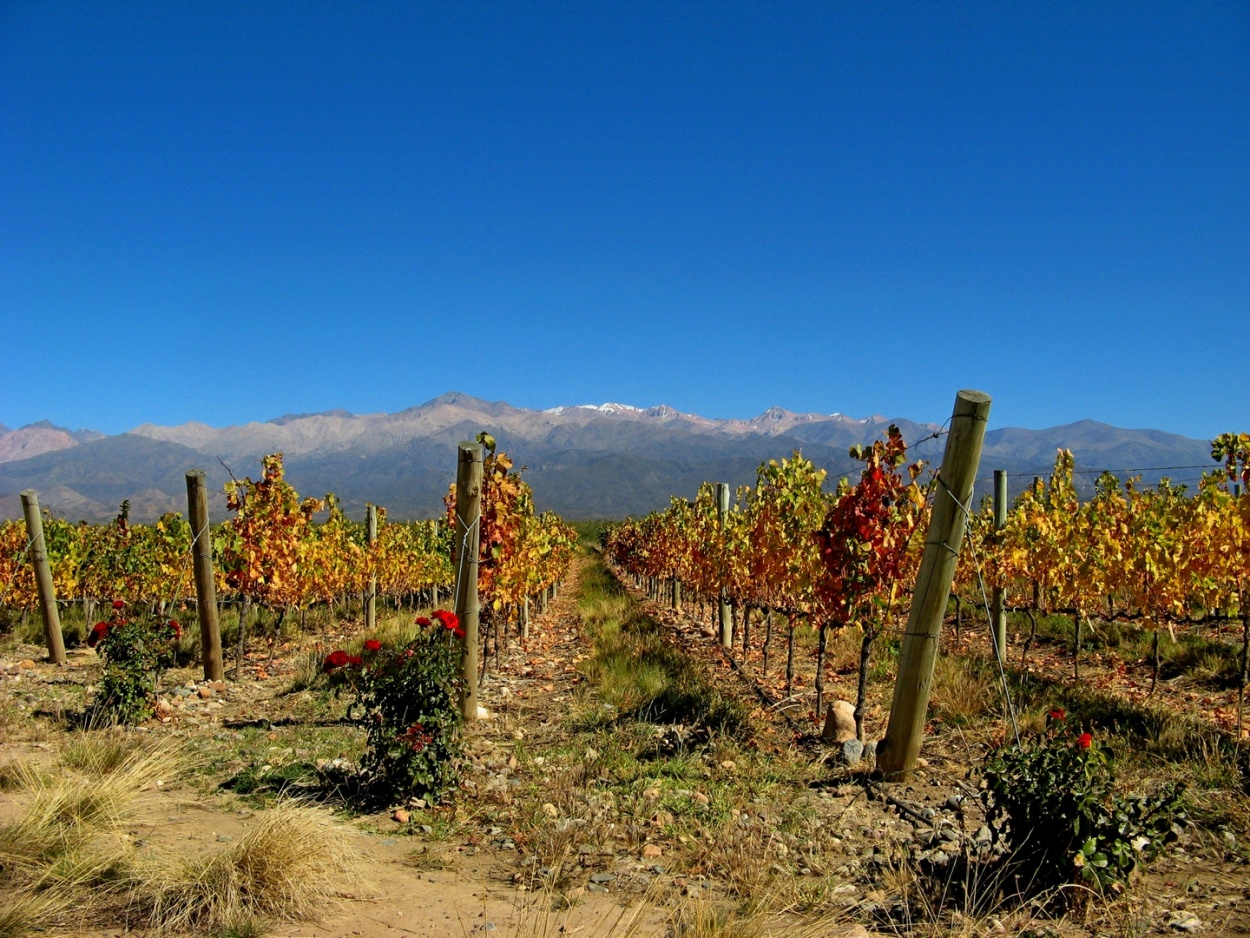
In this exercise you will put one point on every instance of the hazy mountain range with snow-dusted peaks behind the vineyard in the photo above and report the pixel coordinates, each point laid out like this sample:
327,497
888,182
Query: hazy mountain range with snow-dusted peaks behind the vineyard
602,461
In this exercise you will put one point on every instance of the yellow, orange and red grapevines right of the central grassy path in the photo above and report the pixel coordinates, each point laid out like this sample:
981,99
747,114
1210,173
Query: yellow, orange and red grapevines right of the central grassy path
799,558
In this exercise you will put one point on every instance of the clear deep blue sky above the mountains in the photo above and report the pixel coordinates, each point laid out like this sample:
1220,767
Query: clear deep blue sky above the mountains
226,212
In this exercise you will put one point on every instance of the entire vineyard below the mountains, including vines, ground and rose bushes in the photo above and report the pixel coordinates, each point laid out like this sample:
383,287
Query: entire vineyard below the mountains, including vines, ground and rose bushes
677,735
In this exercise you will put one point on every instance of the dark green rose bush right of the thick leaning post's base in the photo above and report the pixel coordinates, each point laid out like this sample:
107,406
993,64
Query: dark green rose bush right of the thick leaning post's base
1053,805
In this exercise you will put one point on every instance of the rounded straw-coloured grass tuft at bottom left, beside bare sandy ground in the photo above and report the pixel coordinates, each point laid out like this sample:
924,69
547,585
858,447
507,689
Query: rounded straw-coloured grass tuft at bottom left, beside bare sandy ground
289,867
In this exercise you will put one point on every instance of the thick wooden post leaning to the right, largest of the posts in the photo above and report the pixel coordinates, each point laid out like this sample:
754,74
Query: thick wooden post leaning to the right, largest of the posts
897,755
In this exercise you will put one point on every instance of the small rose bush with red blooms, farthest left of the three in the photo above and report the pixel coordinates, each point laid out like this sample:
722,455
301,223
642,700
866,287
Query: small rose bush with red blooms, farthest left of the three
136,650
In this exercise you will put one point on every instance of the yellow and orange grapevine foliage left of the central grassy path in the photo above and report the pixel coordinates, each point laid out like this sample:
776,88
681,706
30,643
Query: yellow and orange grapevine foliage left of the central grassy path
281,556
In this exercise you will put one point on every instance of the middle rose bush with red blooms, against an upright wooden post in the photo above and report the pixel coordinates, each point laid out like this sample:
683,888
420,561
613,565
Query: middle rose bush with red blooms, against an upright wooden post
408,702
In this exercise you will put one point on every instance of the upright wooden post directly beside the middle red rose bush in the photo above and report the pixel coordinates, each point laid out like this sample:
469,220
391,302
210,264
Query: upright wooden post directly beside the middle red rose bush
464,565
